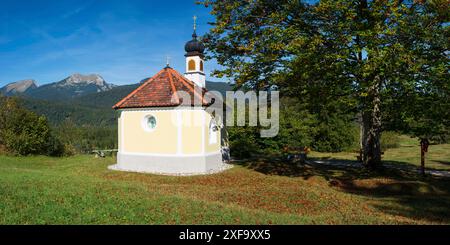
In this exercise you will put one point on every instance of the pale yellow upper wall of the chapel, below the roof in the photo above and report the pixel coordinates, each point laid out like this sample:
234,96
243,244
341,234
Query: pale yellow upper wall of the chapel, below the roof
133,138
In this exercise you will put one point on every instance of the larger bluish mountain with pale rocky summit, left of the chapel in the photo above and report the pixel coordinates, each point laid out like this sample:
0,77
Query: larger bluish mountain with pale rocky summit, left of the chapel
70,87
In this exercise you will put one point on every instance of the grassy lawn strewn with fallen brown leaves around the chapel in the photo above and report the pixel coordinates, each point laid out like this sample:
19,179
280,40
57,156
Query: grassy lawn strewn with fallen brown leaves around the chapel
81,190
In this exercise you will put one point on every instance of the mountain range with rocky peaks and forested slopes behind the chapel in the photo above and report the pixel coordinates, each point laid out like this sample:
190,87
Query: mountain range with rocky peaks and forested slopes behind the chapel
81,99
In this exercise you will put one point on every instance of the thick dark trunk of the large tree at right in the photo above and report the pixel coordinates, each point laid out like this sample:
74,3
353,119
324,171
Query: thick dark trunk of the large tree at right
371,129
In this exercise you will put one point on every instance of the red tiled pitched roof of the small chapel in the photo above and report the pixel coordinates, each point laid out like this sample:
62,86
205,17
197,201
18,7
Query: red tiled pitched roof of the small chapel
162,90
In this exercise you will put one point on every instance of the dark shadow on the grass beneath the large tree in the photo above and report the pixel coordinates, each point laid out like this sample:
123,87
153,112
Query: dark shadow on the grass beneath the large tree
393,191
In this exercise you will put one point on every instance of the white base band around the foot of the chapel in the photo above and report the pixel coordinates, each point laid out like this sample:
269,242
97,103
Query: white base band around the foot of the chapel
170,165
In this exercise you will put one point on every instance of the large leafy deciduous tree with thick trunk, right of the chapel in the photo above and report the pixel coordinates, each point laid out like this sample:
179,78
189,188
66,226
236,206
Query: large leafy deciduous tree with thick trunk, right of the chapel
349,55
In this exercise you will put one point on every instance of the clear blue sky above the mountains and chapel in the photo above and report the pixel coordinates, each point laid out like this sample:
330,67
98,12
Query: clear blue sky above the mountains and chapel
124,41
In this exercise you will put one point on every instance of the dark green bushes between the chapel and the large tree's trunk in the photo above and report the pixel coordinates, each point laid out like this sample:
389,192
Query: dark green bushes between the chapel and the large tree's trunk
331,132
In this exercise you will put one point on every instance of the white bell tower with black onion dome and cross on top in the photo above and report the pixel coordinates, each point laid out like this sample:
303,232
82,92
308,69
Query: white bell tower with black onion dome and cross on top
194,59
